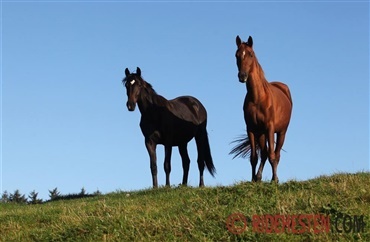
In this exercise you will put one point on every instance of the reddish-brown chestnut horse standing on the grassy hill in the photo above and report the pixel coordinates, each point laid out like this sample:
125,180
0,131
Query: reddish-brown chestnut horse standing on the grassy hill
267,110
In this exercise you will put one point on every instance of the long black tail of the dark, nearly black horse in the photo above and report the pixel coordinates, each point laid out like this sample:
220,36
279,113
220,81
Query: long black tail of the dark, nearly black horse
203,143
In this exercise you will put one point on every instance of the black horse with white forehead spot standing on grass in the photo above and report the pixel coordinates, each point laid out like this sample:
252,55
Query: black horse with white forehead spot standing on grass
170,123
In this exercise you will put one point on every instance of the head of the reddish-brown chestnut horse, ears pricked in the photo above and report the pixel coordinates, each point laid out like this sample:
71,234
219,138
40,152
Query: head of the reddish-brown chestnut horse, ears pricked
244,58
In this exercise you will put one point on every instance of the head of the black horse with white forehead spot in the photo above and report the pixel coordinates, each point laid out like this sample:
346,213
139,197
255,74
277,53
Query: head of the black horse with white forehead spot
133,83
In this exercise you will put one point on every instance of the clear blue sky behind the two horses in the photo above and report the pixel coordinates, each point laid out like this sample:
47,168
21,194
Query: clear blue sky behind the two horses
63,114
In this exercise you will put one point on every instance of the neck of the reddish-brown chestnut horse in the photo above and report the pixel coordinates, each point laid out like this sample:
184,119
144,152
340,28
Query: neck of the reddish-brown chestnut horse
257,83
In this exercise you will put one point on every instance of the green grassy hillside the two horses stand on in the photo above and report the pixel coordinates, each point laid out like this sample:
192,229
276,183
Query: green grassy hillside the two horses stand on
200,214
